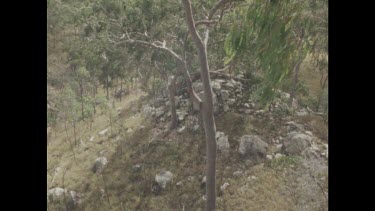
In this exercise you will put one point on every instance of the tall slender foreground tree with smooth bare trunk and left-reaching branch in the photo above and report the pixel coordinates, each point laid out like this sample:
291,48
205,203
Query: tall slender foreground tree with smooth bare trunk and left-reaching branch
151,30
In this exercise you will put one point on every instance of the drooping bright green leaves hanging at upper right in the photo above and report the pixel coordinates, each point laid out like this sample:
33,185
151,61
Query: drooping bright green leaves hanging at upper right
272,30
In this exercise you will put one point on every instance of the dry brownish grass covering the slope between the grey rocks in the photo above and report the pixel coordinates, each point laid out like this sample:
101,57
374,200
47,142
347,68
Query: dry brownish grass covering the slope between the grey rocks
281,186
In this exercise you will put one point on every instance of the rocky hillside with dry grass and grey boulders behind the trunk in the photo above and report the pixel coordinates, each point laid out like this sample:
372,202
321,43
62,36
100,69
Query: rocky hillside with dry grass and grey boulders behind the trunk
273,159
